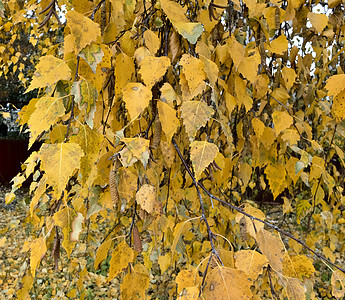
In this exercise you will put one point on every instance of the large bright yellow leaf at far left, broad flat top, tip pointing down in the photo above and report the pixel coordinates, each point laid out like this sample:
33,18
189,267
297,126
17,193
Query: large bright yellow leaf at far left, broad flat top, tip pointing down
59,161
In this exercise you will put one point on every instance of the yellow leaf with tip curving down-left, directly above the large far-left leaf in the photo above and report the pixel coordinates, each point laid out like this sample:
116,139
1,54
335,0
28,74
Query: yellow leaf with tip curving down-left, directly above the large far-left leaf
48,111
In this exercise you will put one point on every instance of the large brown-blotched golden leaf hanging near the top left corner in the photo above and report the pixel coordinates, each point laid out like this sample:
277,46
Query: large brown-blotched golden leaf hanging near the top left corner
83,29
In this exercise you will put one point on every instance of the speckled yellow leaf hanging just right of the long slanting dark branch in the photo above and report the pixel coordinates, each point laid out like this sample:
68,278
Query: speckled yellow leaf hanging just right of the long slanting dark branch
202,154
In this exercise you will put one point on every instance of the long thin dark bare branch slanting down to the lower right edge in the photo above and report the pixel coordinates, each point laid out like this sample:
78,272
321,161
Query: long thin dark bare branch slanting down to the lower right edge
197,183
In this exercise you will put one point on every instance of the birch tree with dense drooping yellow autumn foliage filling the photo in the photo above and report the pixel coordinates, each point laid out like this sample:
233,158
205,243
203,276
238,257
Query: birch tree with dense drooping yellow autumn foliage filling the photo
165,124
